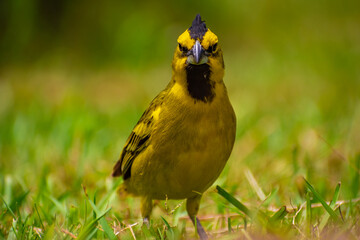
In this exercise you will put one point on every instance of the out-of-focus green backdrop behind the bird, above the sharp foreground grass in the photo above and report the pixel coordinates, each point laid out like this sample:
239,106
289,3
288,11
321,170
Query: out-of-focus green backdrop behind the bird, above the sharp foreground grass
75,76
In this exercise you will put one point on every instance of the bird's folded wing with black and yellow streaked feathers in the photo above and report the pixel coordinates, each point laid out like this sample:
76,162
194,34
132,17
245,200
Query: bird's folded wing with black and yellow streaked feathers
139,138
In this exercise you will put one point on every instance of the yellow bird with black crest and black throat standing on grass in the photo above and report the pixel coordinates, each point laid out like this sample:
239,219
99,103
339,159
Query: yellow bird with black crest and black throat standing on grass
183,140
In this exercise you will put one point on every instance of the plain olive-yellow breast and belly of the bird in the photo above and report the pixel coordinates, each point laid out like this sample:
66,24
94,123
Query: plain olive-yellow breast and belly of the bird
186,155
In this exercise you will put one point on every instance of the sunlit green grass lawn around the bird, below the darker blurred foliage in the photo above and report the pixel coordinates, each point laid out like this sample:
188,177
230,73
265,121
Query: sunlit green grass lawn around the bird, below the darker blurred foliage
58,145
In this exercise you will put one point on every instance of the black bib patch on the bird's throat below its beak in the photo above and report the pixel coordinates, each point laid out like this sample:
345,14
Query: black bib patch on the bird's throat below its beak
199,85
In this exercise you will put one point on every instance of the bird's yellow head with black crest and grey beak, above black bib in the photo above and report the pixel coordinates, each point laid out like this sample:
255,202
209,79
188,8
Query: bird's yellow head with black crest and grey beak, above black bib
198,48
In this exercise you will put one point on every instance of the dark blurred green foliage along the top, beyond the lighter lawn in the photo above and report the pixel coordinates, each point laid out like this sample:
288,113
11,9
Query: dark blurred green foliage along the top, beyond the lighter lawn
136,32
